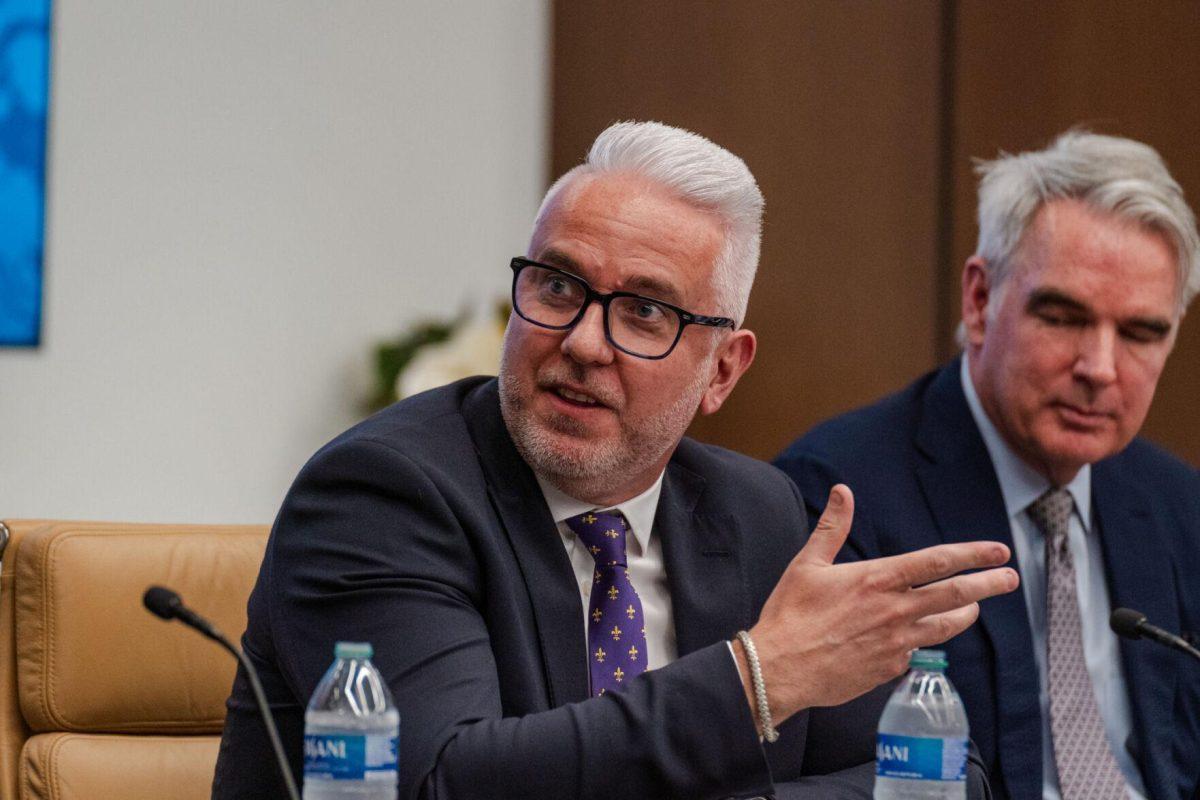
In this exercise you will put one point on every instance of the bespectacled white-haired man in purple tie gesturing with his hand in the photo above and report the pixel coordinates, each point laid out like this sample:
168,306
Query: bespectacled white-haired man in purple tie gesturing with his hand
567,597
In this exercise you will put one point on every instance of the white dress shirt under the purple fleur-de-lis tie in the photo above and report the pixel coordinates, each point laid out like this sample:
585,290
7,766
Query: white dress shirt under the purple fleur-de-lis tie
644,554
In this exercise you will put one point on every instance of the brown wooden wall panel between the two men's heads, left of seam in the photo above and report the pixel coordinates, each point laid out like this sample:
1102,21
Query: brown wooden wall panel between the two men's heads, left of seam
835,106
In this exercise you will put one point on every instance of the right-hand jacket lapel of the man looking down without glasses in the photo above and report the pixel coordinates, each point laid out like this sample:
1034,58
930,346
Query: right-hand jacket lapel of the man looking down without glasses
1138,573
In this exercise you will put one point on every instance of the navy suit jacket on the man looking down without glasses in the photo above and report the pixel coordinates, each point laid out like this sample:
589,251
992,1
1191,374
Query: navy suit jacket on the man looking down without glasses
922,477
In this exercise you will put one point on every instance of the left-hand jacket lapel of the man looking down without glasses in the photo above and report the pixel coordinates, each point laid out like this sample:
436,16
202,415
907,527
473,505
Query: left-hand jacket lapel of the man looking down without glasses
964,496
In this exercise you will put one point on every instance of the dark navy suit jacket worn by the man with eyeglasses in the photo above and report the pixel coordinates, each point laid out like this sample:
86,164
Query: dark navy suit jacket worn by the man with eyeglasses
423,532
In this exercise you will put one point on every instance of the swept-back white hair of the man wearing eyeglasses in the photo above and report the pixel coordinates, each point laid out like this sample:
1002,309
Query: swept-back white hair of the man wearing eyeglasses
705,176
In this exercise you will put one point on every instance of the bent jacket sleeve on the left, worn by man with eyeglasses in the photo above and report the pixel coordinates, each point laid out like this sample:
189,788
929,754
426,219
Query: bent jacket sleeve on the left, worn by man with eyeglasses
369,549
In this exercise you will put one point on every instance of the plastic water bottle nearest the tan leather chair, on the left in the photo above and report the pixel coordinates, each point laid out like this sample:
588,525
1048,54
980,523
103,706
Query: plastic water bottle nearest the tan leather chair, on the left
351,732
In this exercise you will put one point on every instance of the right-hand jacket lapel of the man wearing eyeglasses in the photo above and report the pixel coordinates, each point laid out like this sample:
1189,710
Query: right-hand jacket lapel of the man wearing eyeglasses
701,554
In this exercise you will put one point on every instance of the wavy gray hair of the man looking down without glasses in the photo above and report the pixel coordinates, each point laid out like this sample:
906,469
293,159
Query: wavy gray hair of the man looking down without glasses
1108,173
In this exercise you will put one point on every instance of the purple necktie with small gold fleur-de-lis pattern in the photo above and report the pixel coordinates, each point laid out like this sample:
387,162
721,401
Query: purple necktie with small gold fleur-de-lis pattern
616,627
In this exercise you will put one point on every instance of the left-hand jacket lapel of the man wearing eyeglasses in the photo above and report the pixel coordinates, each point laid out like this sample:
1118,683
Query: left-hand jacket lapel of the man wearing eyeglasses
542,558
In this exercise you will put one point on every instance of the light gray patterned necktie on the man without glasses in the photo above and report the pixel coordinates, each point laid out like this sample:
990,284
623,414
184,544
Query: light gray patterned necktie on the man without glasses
1088,771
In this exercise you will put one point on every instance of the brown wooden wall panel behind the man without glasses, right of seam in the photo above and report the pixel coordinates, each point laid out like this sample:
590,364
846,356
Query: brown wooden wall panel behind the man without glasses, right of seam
1028,70
